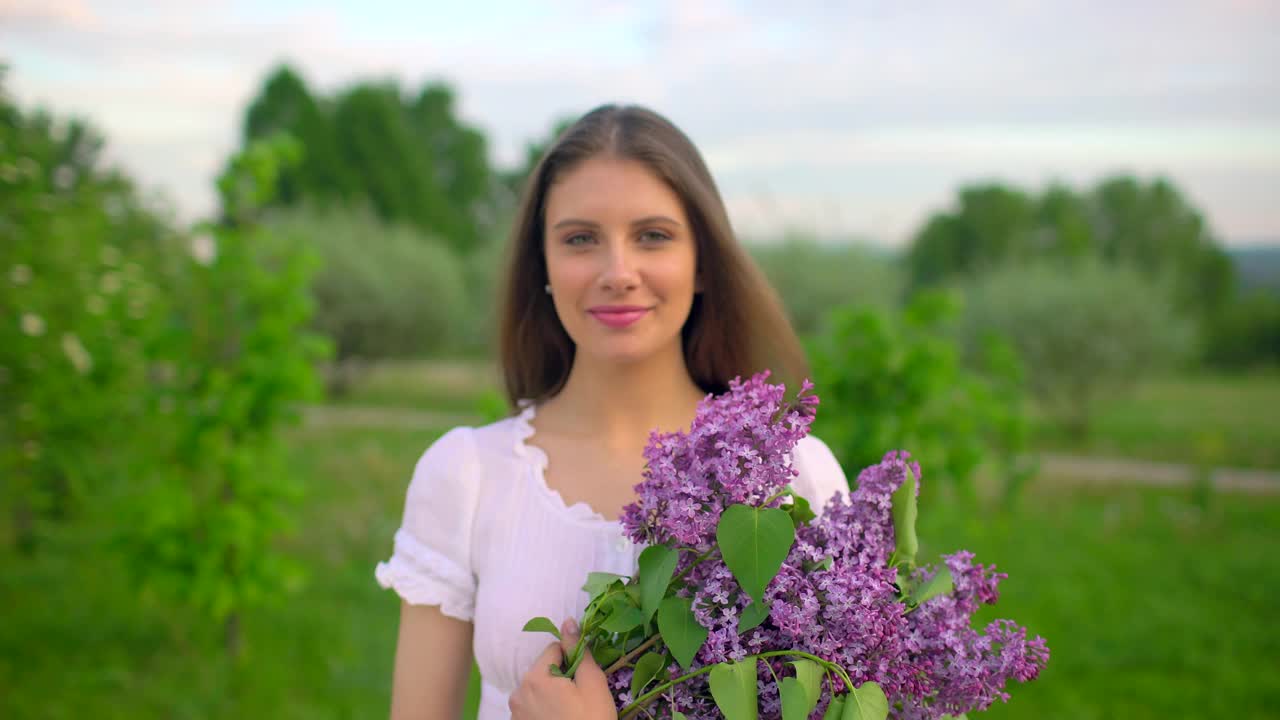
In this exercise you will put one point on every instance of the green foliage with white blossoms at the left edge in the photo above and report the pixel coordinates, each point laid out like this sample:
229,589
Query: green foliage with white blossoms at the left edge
80,308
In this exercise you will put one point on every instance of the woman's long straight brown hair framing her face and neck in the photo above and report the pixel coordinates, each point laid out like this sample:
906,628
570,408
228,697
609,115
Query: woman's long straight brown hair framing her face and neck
737,326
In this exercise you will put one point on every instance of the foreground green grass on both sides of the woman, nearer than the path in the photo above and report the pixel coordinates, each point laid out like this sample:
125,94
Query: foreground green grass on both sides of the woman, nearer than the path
1153,608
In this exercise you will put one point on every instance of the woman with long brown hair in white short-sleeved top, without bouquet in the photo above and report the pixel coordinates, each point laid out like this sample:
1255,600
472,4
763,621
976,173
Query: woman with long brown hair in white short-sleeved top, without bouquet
628,300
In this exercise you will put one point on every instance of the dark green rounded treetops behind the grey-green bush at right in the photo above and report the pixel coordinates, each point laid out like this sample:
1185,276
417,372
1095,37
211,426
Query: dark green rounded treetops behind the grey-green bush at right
1121,221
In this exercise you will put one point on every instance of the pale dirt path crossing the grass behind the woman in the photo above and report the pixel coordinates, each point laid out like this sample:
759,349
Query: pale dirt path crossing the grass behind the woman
1062,468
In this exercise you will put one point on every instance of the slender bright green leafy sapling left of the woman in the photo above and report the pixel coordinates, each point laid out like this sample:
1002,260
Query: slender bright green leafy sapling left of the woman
204,527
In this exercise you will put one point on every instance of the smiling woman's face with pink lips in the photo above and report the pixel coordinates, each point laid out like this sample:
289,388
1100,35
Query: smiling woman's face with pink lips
621,259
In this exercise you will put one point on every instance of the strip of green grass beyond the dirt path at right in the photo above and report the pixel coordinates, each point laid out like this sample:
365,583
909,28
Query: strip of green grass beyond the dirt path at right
1231,421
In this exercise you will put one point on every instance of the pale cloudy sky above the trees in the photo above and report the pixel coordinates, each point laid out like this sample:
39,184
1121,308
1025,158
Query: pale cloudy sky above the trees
842,120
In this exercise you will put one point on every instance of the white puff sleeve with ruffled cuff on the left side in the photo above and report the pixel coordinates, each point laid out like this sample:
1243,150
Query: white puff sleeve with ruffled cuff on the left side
432,559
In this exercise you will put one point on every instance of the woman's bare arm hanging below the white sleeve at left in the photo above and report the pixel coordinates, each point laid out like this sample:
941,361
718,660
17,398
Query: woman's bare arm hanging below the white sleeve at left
433,666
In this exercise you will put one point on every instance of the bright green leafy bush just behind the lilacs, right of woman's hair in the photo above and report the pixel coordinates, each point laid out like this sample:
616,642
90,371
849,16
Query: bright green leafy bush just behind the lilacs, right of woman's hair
897,380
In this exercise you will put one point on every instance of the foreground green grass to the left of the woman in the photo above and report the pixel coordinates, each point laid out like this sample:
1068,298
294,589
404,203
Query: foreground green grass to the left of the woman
77,642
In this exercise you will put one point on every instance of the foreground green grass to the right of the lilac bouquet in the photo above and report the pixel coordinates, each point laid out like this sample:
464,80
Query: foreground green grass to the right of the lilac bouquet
1151,607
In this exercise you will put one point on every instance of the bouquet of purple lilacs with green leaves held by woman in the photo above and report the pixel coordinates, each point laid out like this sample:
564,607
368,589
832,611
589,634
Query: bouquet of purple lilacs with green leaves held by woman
748,605
